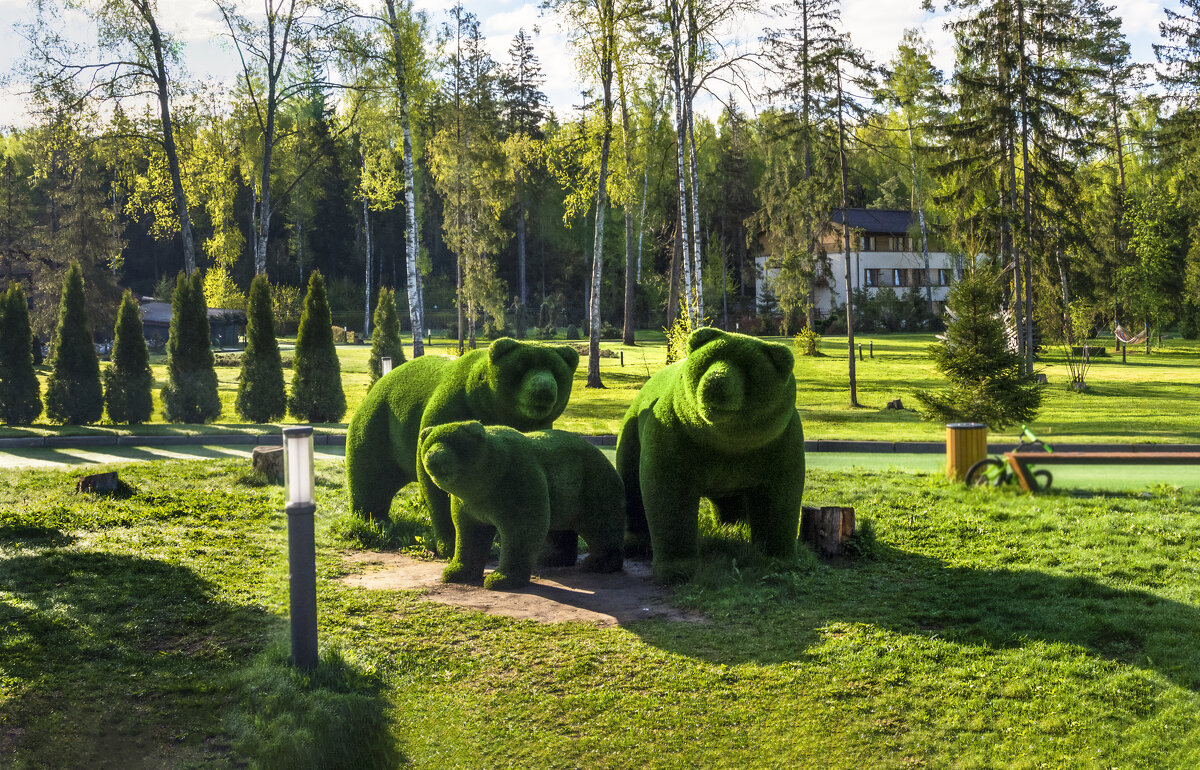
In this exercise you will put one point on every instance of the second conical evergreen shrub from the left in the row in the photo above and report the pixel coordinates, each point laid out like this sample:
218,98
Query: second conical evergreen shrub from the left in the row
73,393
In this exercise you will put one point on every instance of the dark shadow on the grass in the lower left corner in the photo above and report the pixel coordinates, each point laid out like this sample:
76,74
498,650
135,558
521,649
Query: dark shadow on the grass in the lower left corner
124,661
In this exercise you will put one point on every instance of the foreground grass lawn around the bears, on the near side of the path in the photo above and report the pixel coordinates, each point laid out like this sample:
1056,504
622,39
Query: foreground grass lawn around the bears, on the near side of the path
976,629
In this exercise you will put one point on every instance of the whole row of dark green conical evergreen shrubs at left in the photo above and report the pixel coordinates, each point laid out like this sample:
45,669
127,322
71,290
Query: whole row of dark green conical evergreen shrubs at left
74,393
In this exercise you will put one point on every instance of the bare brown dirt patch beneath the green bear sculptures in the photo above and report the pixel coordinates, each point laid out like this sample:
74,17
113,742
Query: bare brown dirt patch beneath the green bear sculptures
555,595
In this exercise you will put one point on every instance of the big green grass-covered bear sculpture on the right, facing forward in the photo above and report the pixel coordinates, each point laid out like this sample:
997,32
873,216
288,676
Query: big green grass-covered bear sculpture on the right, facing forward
722,424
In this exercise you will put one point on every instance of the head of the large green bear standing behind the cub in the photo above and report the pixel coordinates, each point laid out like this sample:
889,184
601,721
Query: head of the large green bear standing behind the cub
530,384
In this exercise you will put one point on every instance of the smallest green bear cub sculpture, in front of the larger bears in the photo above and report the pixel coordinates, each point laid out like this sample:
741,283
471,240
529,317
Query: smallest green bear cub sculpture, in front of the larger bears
524,486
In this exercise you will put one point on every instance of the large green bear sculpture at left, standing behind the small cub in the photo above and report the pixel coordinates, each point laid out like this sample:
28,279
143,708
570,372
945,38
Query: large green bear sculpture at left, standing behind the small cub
519,384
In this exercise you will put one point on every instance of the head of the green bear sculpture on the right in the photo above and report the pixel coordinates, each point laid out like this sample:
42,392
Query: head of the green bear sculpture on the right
737,389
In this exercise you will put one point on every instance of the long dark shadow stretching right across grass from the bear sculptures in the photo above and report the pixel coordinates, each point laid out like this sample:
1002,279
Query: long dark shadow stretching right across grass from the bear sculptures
911,594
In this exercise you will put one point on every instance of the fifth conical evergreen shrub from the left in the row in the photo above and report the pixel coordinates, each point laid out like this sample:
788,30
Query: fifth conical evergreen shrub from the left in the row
261,395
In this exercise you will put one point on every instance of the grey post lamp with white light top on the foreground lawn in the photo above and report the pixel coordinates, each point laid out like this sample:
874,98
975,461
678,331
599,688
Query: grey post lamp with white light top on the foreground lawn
302,508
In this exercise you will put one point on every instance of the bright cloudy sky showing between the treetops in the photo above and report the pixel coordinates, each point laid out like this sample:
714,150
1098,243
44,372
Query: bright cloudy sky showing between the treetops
877,26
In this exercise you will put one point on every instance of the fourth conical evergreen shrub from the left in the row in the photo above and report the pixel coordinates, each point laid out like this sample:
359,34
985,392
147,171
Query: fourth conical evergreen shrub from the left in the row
191,392
